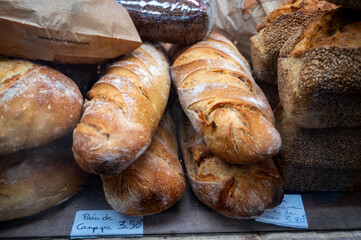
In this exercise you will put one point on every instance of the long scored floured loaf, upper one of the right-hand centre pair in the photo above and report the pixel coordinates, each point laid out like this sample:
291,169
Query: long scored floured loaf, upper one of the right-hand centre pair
224,104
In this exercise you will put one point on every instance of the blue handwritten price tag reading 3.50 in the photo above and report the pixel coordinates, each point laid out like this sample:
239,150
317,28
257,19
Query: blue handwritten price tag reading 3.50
92,223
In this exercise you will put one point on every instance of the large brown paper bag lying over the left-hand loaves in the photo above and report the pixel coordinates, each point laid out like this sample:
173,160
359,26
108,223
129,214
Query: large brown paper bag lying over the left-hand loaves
78,31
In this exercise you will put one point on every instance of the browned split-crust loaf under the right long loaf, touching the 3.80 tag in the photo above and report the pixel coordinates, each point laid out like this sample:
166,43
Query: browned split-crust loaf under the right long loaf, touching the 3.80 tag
236,191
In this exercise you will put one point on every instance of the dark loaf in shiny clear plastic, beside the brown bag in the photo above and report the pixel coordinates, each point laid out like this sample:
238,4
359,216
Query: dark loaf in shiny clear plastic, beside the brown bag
172,21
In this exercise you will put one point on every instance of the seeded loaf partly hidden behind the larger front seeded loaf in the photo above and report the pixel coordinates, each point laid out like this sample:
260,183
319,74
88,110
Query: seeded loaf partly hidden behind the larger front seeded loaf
280,27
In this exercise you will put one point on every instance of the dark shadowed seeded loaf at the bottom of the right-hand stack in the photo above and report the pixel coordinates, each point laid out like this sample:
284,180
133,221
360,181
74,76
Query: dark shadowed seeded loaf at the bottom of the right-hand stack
326,159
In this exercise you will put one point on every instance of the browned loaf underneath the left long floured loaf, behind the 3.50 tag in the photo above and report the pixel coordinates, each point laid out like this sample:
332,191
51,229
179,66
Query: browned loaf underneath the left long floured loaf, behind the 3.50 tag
154,182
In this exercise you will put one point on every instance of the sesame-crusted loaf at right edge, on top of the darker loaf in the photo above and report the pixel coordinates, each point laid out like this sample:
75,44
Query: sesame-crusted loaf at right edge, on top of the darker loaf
319,77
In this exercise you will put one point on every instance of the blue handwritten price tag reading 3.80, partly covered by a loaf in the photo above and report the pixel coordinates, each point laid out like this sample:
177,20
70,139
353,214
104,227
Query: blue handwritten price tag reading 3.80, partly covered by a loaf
290,213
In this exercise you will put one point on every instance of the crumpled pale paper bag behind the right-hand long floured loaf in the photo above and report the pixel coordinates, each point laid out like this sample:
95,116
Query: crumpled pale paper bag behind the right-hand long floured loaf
238,19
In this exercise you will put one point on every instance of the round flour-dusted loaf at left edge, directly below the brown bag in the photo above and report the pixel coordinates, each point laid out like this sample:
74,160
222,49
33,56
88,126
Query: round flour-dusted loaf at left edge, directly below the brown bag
37,105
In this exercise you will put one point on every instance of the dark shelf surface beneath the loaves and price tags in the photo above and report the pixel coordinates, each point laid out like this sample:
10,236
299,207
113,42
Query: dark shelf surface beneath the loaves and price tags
325,211
